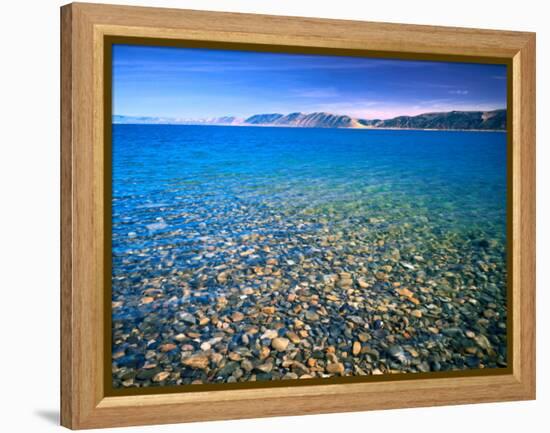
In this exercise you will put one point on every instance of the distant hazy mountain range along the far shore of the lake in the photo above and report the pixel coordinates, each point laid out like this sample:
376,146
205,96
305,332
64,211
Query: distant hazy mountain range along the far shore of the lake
451,120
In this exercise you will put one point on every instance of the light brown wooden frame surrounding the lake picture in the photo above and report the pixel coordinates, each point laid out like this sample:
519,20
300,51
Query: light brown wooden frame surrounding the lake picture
84,30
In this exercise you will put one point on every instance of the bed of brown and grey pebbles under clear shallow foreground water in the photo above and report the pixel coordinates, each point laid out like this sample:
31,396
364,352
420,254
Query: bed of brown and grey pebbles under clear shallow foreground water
308,301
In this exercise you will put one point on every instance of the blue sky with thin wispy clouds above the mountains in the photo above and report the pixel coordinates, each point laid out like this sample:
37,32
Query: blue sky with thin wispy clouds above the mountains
200,83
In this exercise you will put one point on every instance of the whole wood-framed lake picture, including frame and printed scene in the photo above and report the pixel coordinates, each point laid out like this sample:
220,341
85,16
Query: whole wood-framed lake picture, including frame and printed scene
270,216
